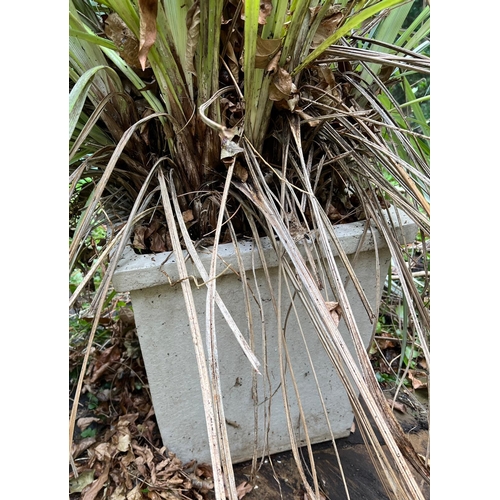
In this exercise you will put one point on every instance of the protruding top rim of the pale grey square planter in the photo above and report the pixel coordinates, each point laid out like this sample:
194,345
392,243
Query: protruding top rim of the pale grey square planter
136,271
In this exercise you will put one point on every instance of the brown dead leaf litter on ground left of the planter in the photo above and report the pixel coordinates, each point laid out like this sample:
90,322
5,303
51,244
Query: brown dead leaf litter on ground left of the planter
125,458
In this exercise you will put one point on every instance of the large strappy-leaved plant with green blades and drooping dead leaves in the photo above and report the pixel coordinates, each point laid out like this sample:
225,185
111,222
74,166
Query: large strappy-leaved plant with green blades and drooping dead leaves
210,121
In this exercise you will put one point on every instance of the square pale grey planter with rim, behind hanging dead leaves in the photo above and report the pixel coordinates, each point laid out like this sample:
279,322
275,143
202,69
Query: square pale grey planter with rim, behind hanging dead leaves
169,356
